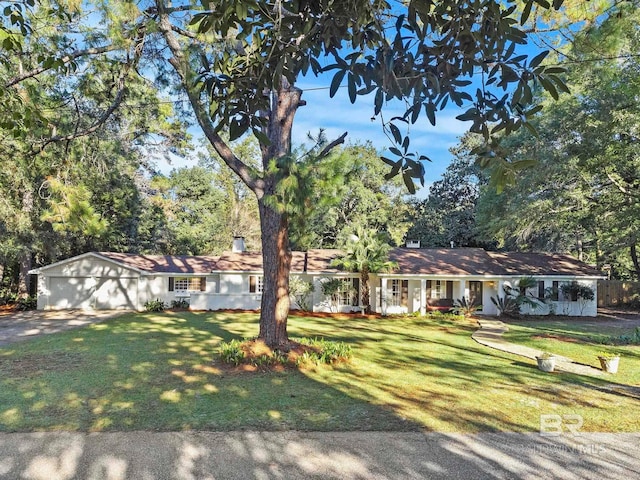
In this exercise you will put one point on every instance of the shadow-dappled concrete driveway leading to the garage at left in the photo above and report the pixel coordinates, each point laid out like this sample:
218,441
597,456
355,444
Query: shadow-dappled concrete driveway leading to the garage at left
18,326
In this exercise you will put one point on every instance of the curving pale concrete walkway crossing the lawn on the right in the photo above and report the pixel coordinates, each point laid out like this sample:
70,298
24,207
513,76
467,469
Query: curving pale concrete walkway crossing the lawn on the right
491,333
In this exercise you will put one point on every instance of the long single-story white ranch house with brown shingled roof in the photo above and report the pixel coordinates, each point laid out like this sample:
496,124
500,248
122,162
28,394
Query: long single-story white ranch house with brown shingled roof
424,279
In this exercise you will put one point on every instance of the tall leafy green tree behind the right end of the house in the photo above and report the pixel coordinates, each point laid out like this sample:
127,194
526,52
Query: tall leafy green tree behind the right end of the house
582,195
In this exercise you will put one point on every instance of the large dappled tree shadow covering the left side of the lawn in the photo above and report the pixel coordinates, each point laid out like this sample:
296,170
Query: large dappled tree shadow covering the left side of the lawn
155,372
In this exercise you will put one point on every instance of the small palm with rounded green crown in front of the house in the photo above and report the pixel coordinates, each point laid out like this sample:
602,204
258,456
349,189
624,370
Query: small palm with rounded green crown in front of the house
365,252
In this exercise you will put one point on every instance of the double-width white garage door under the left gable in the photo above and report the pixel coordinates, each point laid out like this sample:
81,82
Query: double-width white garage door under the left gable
87,292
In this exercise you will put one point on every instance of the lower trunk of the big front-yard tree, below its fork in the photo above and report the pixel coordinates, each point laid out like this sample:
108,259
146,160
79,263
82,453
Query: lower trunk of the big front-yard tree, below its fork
276,259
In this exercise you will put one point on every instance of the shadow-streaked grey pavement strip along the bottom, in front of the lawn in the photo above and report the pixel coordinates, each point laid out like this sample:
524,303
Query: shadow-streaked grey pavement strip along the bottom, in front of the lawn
328,455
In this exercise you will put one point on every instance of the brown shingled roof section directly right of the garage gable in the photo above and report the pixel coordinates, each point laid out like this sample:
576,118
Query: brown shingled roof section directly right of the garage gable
164,263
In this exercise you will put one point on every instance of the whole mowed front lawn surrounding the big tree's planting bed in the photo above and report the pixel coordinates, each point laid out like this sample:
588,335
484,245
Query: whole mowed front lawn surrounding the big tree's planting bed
155,372
